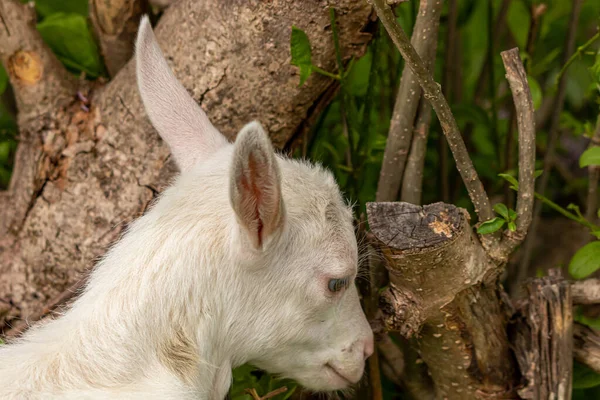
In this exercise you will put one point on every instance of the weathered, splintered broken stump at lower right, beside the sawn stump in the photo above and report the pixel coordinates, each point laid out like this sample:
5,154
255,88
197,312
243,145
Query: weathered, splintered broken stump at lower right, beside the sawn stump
542,335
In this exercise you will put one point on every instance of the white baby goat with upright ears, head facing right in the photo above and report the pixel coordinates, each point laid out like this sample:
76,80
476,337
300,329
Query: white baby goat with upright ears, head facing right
248,257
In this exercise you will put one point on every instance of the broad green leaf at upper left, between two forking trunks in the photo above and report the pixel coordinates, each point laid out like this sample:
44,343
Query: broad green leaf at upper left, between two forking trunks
69,37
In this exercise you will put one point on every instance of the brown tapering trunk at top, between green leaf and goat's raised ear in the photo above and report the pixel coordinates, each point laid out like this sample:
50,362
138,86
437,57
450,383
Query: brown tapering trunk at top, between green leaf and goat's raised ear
115,23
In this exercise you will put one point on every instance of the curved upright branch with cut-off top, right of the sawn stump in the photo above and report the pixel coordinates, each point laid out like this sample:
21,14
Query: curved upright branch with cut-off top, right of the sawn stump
517,79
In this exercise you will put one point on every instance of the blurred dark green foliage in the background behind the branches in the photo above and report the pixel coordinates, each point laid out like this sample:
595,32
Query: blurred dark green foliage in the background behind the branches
476,90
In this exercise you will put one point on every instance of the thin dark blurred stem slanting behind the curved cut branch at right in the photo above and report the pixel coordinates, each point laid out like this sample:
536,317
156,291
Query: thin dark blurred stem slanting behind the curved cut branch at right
552,141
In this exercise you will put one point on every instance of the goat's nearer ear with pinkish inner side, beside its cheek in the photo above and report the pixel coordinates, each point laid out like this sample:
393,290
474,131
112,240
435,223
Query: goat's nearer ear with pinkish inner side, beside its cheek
255,188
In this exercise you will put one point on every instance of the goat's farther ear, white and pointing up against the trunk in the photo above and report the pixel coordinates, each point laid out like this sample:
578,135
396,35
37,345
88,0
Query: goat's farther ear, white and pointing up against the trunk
172,111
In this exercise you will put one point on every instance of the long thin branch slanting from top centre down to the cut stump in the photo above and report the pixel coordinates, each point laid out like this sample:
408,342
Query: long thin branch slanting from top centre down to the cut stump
434,95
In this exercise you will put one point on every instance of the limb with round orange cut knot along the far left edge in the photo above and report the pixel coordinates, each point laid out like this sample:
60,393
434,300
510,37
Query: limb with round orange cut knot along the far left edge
41,85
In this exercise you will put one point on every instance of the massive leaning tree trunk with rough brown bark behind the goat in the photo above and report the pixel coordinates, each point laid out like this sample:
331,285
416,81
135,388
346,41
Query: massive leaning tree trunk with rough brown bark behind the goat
105,166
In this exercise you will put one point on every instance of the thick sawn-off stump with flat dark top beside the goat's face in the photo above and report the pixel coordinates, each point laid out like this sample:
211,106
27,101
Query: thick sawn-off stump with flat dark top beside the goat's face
444,287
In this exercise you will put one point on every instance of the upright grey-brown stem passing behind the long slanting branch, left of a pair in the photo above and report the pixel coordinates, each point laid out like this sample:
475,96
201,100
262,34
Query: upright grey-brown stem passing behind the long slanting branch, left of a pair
424,39
